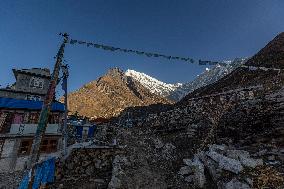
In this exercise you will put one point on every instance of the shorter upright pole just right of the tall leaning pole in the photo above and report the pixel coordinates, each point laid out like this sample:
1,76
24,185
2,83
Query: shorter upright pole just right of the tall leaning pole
64,87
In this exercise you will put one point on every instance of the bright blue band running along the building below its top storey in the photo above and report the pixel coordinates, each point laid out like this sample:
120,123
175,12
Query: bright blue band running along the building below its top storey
27,104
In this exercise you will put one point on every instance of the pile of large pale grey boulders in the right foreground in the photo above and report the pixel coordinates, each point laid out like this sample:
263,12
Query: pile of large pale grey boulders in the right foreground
227,167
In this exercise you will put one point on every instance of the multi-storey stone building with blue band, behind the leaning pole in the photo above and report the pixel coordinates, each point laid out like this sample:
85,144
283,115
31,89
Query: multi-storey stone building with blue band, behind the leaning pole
20,107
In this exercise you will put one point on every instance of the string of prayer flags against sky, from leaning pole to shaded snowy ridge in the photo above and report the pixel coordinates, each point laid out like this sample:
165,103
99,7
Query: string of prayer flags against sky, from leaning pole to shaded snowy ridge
148,54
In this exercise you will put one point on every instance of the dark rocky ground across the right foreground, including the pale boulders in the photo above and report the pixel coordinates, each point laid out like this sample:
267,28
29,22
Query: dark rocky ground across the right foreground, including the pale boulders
182,148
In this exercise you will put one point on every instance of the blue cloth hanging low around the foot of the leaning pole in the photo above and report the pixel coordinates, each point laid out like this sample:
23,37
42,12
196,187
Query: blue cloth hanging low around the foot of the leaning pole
44,174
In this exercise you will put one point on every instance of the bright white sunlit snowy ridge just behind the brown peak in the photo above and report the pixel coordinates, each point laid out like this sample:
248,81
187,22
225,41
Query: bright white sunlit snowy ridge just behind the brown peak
154,85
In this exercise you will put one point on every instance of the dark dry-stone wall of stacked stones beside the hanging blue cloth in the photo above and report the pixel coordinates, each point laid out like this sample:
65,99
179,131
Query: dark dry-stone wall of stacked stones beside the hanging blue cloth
86,168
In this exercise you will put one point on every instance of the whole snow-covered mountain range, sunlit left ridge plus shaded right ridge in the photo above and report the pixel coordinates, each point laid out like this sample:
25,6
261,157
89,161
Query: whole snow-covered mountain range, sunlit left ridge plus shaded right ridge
177,91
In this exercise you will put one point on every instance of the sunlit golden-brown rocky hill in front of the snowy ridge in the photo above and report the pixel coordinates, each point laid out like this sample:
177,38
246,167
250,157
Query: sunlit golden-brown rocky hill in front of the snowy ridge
109,95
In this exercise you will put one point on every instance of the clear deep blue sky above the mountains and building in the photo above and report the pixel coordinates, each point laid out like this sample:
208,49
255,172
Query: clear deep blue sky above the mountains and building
202,29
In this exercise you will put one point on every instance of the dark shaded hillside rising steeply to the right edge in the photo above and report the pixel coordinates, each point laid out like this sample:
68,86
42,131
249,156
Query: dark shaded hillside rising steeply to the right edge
260,71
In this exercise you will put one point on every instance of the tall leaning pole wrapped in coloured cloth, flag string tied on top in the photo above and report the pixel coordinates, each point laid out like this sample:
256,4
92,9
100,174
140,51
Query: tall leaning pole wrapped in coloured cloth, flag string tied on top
45,111
